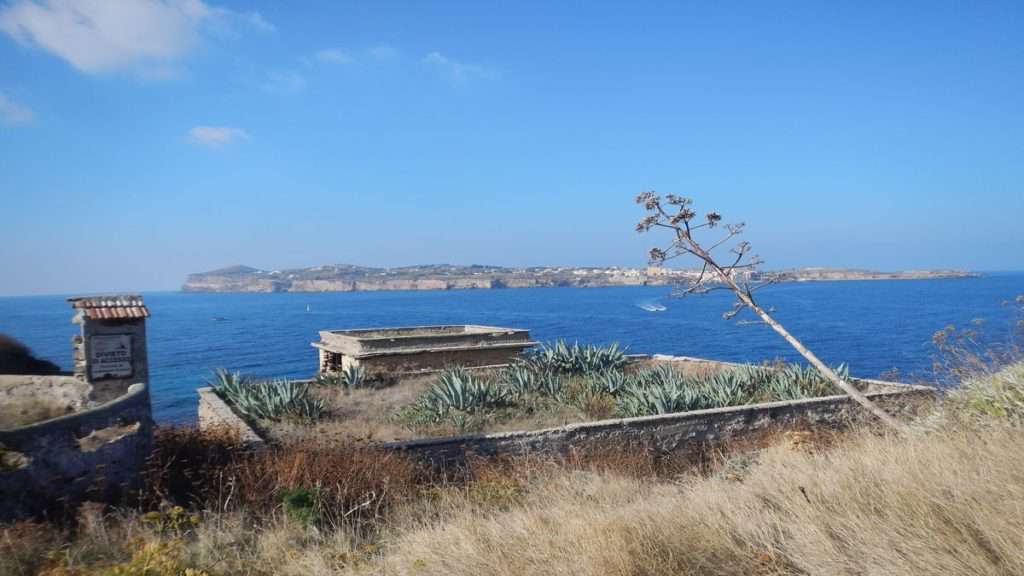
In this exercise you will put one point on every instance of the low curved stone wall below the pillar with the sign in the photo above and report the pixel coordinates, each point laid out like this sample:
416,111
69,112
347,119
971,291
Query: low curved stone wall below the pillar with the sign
95,454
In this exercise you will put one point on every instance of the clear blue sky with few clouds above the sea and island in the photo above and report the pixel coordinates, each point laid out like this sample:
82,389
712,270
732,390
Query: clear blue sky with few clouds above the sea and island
141,141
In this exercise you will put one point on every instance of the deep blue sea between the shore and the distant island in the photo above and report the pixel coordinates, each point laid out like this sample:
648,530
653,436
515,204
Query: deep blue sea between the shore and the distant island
875,326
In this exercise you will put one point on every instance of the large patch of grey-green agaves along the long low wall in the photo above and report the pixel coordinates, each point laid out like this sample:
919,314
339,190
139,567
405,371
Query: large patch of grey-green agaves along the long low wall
578,383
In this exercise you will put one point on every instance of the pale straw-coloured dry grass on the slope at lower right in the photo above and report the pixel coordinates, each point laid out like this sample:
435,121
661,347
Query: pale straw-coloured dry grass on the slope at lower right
928,504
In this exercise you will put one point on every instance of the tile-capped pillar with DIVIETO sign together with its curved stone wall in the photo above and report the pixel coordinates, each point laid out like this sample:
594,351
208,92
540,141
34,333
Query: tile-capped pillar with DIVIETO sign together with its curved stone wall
86,435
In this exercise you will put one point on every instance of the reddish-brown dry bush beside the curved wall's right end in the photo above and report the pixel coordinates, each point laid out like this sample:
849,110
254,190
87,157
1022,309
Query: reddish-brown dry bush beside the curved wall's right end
212,471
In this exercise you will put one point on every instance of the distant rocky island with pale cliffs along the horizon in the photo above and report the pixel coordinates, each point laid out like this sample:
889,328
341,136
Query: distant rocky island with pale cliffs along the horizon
348,278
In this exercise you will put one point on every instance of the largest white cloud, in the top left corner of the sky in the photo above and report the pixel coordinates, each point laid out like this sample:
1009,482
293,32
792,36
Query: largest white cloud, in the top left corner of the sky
97,36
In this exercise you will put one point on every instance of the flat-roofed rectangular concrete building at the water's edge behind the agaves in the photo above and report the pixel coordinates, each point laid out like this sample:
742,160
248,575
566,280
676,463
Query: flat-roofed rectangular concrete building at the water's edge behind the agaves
419,349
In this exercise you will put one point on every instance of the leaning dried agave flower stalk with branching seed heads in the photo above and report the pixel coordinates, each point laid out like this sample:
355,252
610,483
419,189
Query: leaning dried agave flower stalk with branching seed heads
737,277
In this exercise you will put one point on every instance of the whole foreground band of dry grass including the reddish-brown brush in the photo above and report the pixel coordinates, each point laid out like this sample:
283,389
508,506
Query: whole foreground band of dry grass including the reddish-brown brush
942,499
